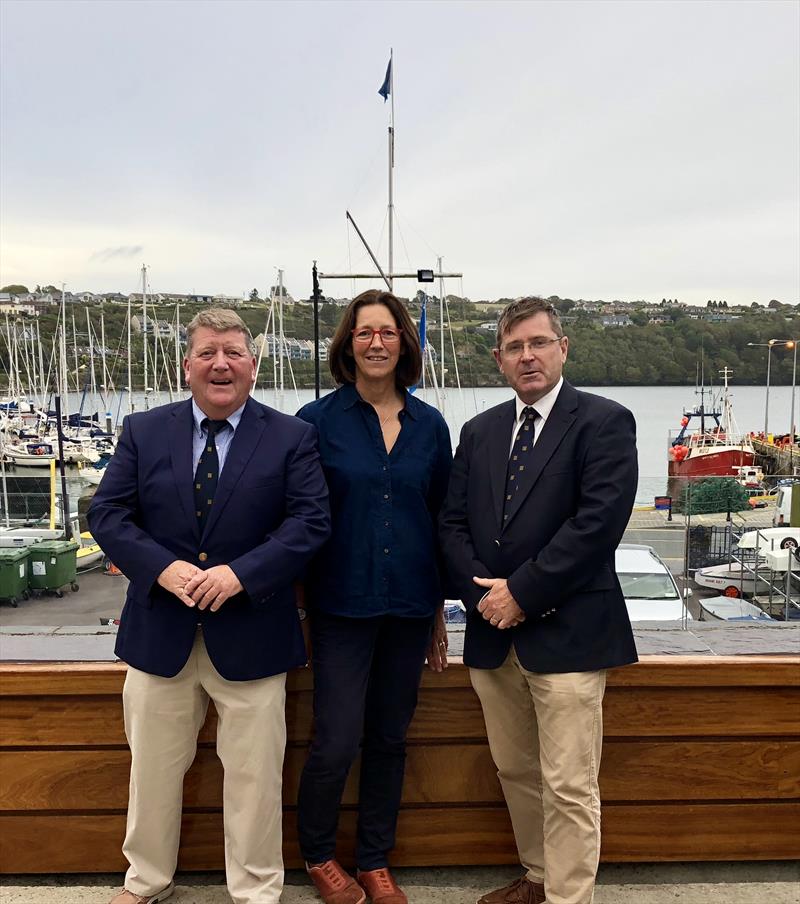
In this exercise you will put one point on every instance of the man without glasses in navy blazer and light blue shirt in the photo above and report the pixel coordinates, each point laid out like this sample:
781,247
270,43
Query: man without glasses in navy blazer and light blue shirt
211,507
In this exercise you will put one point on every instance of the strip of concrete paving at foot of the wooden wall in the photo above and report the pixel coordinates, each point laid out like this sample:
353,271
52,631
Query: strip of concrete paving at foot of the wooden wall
694,883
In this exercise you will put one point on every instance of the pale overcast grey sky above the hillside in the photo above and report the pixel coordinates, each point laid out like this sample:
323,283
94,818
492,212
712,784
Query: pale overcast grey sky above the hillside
615,150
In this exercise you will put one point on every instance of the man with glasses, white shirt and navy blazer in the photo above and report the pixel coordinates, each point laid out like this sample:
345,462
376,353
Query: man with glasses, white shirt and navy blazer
540,494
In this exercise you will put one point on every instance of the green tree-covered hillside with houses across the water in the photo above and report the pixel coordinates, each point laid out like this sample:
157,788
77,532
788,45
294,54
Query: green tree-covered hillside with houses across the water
641,353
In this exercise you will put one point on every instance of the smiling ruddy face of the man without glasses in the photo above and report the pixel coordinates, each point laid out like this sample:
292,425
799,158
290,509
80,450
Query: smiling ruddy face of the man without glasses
219,370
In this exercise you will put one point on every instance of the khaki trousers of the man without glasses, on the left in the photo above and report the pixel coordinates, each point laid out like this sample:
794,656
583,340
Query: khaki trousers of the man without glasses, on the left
162,719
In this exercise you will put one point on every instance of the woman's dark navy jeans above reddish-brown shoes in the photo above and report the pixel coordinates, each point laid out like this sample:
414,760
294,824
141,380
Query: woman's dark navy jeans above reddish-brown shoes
366,677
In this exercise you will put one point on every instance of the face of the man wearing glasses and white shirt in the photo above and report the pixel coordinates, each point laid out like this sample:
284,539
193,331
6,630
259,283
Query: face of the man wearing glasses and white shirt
532,371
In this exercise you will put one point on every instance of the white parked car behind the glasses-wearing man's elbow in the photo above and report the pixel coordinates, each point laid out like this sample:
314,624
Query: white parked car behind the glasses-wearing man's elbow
651,593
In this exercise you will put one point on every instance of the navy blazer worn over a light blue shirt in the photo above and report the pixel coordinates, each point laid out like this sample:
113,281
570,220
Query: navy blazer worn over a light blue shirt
270,515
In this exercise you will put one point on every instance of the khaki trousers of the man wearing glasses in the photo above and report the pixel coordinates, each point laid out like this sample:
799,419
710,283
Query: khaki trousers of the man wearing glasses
545,735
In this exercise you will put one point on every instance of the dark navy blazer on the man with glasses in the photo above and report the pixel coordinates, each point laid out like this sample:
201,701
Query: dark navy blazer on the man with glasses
557,547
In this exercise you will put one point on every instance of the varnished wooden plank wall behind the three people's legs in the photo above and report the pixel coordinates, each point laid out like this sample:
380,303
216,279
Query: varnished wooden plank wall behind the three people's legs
701,762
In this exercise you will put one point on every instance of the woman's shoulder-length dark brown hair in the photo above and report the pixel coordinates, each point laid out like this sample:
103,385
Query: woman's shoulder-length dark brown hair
340,355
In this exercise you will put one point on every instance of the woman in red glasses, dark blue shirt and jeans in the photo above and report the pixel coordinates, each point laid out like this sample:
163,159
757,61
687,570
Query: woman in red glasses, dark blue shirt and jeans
374,592
